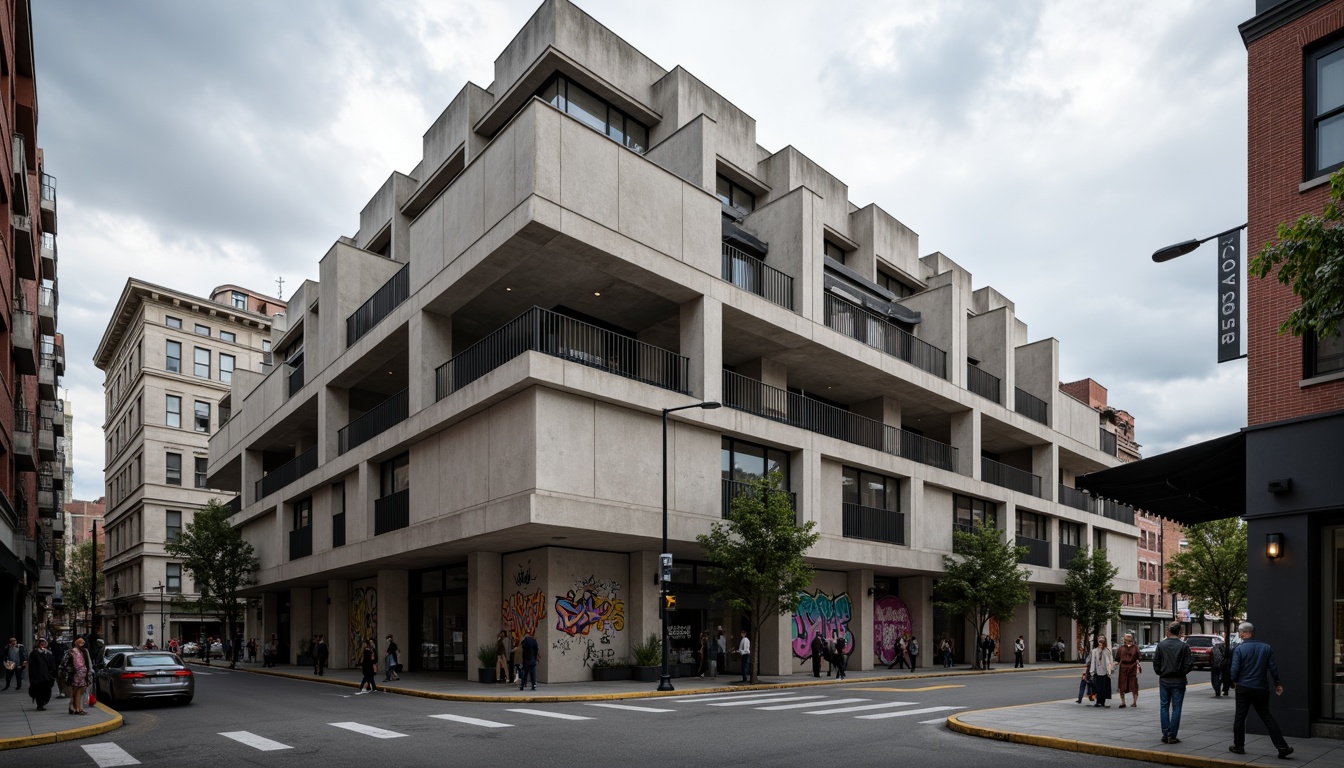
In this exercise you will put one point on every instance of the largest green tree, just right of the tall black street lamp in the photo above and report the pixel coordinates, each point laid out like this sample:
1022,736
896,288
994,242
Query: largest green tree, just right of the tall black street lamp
760,556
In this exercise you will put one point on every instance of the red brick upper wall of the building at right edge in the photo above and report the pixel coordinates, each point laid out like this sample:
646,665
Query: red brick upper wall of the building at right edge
1276,170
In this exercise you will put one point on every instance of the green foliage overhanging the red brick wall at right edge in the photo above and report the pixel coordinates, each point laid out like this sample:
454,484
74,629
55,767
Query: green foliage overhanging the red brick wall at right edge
1310,259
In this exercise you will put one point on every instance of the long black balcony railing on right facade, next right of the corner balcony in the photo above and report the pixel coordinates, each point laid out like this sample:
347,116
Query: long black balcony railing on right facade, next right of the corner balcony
763,400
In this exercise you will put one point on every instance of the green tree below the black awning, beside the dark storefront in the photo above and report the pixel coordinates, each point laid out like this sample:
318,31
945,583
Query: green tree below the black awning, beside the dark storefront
1212,571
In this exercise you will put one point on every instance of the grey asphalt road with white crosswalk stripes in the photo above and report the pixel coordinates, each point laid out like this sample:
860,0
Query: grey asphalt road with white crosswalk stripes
240,719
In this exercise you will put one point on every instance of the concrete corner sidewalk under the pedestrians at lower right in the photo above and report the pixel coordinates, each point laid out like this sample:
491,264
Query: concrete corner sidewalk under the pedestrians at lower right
1206,732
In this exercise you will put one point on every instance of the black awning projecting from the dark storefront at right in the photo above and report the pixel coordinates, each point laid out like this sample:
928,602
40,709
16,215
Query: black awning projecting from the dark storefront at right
1193,485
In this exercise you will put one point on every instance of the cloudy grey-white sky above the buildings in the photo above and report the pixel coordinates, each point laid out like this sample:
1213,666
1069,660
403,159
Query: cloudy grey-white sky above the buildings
1049,147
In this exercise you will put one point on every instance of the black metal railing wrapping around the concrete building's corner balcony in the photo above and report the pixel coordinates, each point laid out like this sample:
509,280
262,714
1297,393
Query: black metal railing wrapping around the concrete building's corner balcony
553,334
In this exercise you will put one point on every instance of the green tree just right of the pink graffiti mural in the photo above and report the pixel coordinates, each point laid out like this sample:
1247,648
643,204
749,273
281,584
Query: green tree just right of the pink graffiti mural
983,580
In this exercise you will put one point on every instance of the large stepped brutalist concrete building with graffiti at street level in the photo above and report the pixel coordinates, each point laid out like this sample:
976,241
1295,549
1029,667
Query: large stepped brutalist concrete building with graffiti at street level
463,431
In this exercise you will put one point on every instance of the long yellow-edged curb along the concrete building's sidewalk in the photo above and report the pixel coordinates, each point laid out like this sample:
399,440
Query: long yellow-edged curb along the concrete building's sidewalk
486,699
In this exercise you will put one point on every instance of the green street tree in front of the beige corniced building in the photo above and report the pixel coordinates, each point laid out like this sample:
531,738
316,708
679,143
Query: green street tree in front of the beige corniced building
220,563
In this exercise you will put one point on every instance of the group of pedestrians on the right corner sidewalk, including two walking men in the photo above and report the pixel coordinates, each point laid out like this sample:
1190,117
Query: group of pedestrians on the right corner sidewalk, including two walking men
1249,669
